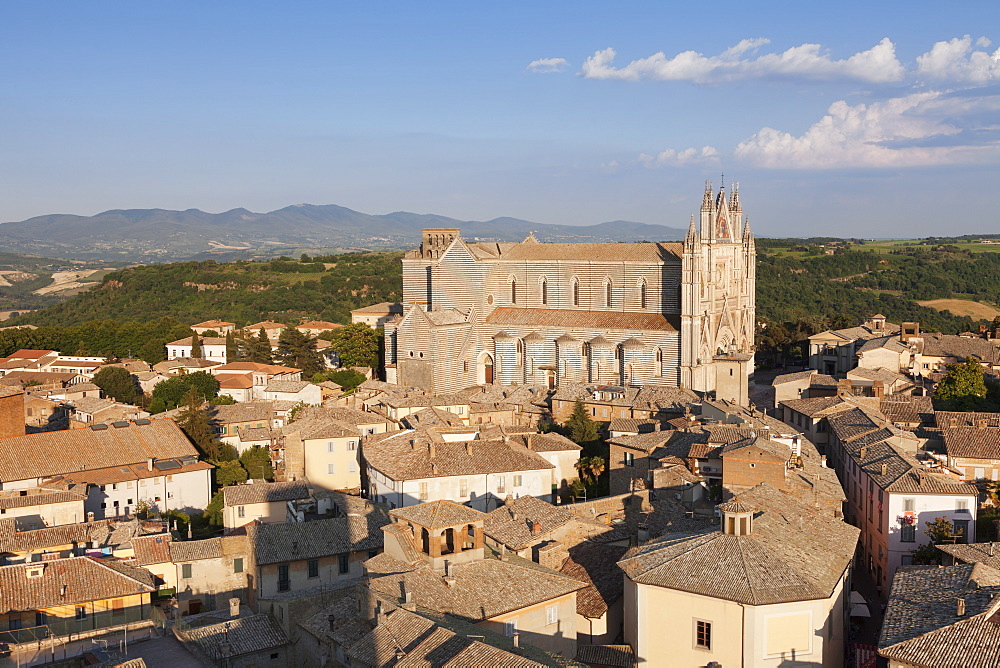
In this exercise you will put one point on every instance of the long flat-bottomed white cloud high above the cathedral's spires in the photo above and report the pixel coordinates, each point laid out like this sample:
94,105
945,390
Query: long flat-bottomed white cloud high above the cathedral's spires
878,64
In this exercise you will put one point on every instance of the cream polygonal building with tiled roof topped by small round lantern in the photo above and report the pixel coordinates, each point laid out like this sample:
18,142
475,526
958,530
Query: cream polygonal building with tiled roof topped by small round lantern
769,589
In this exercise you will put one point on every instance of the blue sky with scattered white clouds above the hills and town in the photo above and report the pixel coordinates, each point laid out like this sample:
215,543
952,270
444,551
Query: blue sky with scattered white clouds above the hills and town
842,119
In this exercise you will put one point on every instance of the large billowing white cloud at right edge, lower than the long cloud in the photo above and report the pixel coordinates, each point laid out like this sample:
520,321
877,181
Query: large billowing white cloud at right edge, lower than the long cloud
909,131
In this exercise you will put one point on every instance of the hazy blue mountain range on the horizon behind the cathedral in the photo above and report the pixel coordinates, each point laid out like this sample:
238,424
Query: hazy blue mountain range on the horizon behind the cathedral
160,235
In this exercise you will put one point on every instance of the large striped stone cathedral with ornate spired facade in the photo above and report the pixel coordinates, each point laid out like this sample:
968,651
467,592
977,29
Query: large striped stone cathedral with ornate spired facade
624,314
